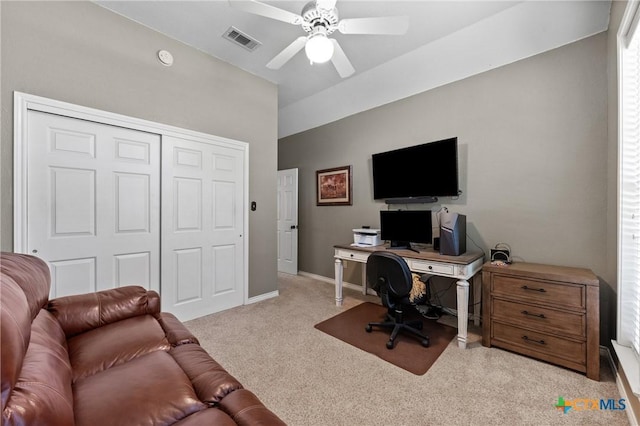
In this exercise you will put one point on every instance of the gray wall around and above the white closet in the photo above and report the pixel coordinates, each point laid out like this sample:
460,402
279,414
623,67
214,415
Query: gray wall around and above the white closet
81,53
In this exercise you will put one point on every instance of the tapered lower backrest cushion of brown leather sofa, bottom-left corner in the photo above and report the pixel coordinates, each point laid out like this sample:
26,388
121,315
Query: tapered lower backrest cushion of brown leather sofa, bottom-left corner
42,394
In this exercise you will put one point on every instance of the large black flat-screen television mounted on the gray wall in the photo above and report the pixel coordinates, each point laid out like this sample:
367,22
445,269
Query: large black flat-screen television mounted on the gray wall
421,171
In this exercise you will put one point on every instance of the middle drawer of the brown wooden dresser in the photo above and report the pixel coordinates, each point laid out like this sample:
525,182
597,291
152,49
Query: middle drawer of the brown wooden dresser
544,319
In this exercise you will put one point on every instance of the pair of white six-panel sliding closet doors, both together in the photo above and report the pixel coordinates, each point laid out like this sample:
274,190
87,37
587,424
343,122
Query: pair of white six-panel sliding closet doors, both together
109,206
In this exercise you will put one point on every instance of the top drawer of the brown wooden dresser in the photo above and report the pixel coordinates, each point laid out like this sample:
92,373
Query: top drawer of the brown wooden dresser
544,292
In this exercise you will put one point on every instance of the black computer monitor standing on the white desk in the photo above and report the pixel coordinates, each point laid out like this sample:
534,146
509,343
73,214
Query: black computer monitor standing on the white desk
403,227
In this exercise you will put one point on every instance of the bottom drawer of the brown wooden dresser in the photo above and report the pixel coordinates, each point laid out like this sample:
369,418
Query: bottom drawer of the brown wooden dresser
528,340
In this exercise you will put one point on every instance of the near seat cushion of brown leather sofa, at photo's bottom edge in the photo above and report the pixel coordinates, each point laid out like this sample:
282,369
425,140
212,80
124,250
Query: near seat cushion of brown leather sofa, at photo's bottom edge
149,390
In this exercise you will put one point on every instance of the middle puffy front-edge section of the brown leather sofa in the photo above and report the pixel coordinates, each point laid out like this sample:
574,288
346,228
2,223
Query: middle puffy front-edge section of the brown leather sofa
211,382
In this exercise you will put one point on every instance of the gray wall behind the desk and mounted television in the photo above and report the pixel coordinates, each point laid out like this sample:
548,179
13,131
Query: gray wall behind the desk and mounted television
533,142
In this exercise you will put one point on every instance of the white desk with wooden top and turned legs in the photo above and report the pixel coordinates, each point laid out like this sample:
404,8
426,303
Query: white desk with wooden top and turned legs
463,268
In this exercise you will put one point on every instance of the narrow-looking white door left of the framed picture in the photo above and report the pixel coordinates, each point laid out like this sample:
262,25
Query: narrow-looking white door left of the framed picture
288,221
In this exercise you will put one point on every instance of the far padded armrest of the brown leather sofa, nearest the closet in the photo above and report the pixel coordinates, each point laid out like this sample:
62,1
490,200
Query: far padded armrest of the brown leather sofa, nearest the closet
84,312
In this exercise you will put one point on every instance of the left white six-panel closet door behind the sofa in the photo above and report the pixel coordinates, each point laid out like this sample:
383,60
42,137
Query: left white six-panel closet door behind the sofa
93,197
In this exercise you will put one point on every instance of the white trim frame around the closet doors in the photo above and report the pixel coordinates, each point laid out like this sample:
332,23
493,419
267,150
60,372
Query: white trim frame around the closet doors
22,102
